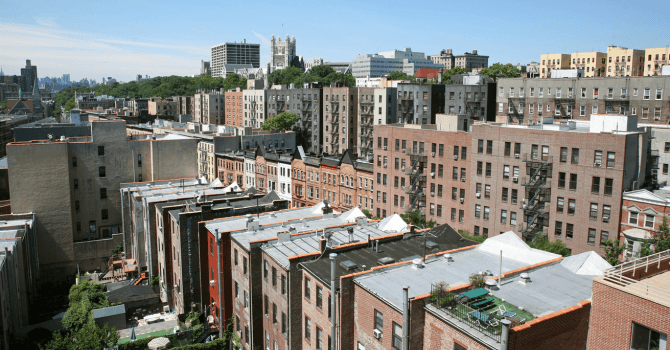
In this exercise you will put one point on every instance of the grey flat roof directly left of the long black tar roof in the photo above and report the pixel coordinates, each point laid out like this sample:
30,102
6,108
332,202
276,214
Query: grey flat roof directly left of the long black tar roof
309,243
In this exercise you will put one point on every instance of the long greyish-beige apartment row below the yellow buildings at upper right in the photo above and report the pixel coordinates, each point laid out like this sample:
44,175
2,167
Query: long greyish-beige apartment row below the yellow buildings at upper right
527,100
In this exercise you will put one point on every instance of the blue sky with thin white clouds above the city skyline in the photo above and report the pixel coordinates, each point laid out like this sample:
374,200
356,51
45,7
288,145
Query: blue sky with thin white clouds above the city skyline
94,39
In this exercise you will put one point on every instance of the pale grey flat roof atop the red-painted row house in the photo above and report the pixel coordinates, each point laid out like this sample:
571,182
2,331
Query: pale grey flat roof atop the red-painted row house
239,223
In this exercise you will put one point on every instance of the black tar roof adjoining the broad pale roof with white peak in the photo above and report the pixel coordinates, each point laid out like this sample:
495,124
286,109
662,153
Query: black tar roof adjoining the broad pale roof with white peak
444,236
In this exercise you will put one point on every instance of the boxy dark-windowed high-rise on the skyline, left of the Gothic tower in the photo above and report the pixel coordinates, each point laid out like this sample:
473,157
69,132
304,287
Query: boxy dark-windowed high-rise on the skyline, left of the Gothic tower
234,53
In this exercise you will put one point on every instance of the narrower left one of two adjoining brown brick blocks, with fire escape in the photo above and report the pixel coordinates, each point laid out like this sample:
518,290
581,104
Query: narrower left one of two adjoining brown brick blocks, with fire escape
424,168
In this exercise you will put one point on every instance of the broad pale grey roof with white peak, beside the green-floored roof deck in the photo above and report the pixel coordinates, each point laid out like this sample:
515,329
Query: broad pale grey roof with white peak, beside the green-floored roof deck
387,283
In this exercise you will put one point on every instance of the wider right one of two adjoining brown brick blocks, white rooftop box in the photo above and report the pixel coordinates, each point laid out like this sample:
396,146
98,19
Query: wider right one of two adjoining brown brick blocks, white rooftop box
562,180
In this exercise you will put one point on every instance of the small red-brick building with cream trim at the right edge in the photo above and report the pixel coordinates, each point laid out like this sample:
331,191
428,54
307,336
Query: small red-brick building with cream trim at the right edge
642,214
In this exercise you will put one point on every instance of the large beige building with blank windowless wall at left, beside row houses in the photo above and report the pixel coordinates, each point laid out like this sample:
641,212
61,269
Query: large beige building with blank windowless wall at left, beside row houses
72,186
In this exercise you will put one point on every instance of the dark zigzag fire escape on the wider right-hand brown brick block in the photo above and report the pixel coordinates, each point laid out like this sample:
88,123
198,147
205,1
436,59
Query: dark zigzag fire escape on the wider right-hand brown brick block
538,196
